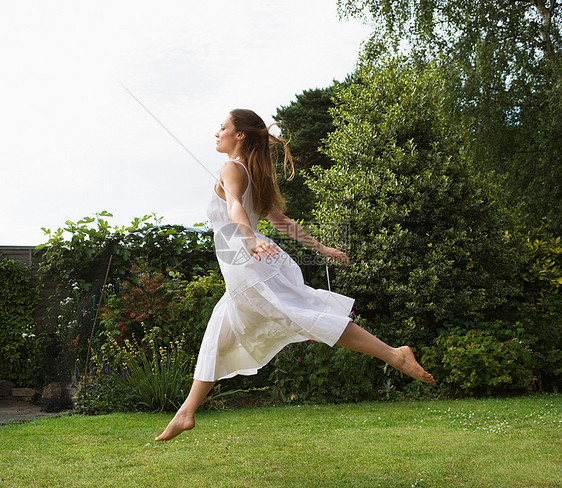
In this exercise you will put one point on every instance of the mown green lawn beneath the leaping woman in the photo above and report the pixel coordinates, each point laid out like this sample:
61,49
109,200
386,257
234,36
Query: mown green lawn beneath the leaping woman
465,443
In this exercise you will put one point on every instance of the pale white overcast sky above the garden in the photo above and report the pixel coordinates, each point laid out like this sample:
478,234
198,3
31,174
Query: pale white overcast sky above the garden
75,142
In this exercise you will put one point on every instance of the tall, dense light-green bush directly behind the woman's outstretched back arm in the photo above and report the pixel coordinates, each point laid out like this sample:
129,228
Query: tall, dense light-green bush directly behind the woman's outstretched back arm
427,240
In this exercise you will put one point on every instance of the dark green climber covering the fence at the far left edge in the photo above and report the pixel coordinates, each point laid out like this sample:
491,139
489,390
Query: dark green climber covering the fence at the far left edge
22,351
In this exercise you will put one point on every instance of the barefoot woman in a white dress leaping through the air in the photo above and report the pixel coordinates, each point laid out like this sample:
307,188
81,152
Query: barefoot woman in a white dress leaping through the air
266,305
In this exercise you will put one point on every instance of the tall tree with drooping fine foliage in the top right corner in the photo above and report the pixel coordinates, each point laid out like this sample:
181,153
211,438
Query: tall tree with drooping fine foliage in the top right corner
503,62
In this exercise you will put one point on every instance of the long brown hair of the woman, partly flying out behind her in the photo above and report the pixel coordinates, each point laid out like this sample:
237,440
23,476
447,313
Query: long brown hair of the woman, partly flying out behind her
256,152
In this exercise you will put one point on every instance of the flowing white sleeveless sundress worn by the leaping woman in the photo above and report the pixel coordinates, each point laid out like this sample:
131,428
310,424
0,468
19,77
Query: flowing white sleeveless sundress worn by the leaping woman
266,305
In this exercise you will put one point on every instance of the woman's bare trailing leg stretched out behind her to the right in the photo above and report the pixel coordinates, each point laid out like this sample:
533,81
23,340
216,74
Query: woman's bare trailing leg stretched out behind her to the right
402,358
